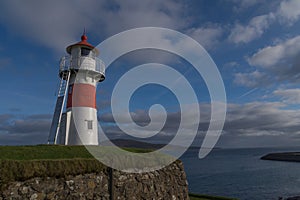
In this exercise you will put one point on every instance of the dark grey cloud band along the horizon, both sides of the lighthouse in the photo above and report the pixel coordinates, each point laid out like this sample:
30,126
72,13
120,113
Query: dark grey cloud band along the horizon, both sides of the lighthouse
250,124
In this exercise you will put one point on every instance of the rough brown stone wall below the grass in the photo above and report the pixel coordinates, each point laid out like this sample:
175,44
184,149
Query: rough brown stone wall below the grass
168,183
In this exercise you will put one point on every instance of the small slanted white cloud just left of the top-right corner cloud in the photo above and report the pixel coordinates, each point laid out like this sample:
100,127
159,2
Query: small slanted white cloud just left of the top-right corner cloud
256,27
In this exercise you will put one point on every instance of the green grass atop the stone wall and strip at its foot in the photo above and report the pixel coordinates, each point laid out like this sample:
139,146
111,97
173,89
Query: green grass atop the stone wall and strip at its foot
19,163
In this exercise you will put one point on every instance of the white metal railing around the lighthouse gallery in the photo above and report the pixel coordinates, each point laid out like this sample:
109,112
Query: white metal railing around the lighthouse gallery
81,63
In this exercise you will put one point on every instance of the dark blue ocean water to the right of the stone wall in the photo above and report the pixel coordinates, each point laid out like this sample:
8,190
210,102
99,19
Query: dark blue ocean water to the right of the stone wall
241,174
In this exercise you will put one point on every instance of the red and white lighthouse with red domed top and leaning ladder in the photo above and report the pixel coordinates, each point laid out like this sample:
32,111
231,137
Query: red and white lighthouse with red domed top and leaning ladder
75,116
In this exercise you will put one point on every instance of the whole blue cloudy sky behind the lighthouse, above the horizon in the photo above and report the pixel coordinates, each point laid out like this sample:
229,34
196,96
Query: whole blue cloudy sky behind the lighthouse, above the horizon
254,43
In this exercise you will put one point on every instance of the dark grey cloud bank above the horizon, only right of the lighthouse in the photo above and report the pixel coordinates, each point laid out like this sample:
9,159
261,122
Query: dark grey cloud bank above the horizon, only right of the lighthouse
253,124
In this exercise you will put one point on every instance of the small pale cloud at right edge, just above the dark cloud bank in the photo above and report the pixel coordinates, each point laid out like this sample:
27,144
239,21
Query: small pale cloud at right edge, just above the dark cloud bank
291,96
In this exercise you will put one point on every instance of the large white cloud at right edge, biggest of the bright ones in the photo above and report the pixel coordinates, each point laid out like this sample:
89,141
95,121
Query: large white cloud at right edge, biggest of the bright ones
277,63
